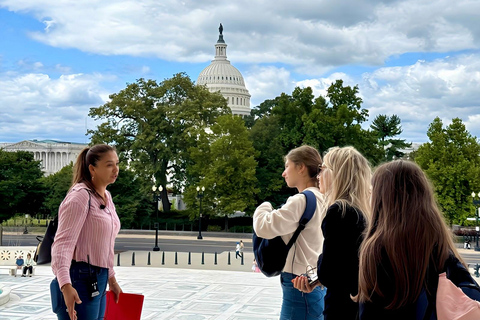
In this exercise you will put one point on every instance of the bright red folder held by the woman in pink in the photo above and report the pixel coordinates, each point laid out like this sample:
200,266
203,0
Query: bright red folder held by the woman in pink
129,306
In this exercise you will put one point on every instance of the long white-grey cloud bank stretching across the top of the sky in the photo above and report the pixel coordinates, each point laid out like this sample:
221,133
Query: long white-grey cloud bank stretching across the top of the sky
311,36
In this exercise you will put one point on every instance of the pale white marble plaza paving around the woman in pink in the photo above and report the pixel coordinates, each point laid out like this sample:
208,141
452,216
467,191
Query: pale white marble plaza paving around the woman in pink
169,294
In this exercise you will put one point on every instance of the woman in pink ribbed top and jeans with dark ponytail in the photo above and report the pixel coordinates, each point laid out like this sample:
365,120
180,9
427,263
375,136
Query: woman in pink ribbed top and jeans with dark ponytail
83,251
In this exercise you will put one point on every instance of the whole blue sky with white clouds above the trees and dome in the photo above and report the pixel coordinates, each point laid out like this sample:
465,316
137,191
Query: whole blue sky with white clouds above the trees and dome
417,59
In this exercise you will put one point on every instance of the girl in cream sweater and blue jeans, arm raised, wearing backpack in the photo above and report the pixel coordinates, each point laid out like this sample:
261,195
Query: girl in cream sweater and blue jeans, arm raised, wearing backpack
301,169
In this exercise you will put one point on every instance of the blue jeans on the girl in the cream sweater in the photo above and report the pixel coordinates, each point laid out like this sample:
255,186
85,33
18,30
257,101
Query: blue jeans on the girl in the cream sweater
297,305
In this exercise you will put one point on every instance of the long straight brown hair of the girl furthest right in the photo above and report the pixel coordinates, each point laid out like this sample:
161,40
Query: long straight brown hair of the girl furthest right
408,227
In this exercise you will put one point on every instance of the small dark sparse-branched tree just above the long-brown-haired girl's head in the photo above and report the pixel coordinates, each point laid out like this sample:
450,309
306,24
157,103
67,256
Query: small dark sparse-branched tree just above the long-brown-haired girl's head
386,128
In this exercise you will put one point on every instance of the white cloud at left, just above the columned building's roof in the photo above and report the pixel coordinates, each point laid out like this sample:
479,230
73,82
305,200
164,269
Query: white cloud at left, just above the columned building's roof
35,102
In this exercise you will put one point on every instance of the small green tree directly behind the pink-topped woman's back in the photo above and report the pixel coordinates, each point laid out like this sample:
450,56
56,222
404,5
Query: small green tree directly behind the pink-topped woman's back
57,186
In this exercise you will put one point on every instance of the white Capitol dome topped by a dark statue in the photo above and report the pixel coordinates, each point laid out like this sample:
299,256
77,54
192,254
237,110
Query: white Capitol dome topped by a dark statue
221,76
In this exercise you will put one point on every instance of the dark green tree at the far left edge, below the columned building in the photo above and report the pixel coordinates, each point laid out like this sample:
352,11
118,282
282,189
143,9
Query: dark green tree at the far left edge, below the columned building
21,189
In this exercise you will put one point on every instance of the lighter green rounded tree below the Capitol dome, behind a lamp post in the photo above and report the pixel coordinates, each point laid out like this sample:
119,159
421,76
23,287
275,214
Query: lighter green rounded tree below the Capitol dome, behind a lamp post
225,164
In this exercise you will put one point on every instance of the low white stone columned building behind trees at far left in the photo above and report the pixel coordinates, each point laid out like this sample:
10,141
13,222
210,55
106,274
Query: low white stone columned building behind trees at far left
53,154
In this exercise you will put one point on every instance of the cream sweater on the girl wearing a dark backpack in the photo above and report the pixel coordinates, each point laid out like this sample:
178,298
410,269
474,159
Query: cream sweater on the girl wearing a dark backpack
269,223
